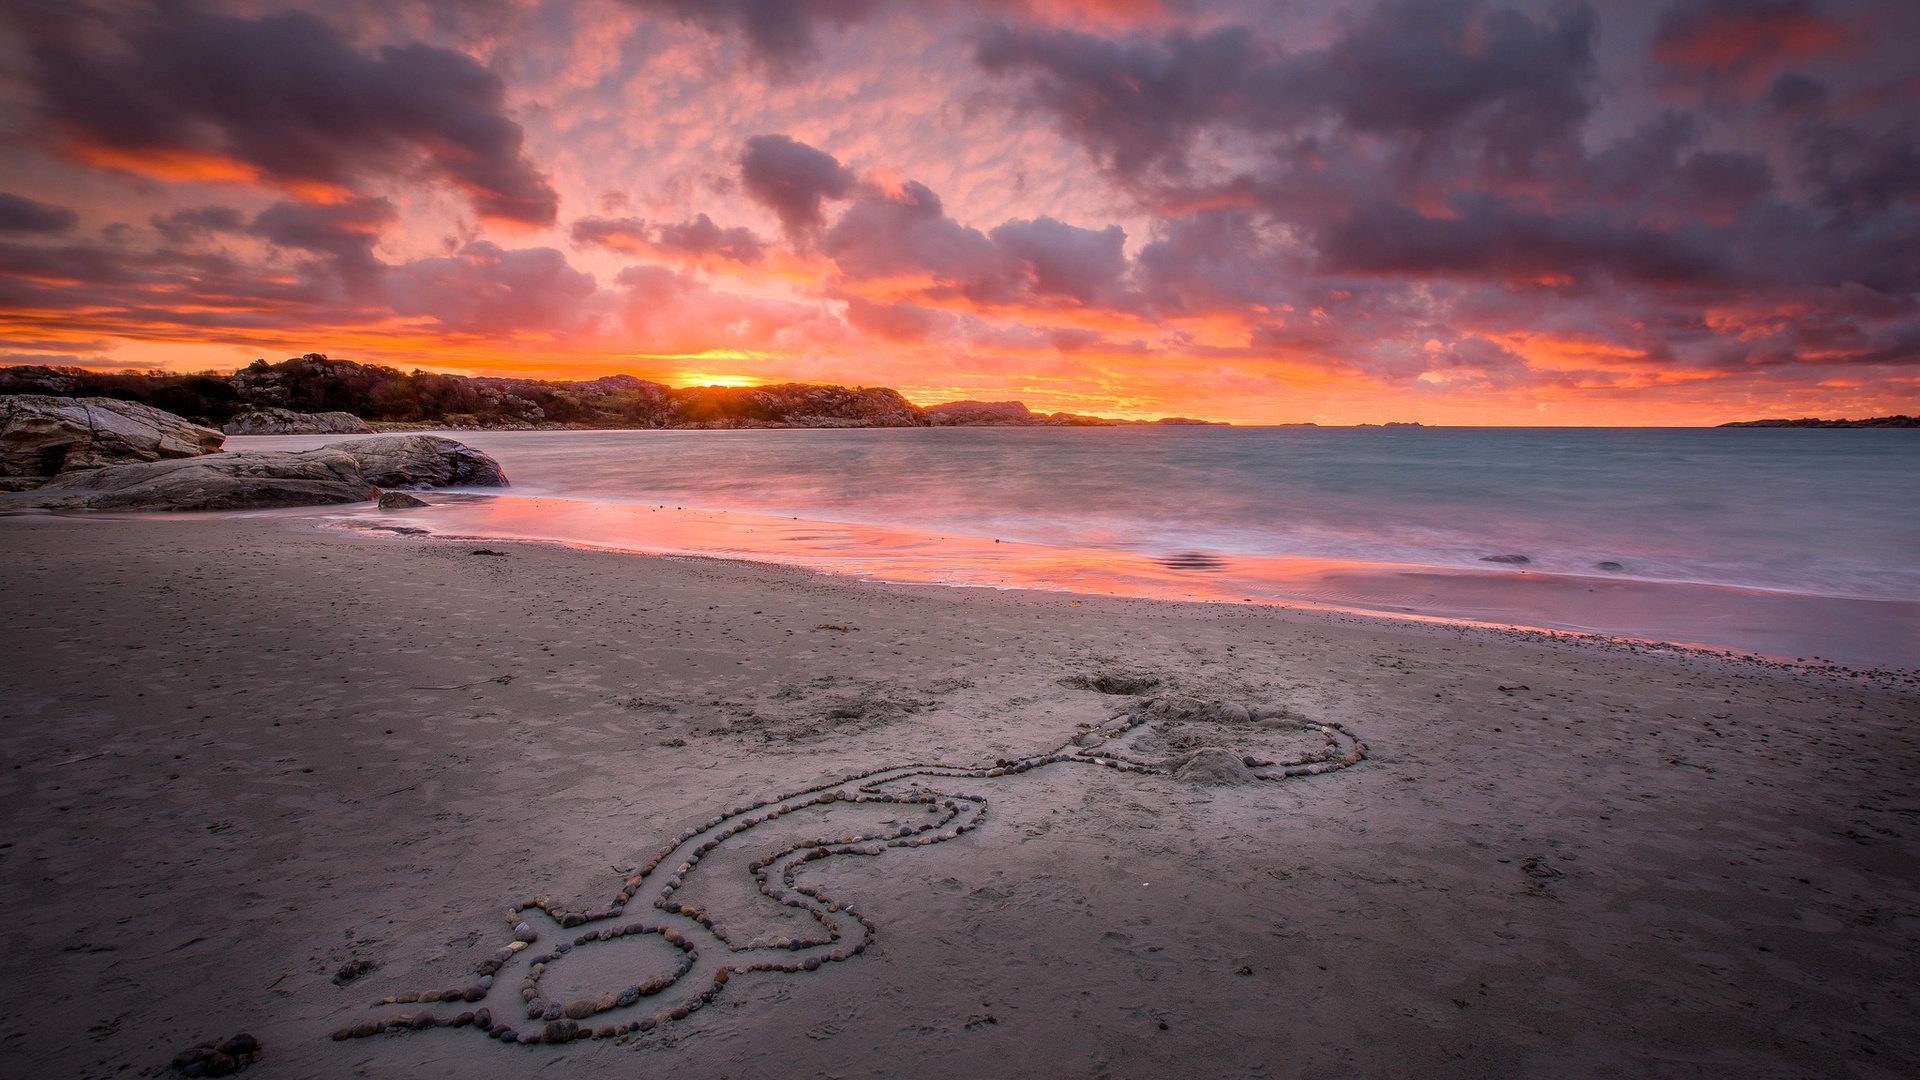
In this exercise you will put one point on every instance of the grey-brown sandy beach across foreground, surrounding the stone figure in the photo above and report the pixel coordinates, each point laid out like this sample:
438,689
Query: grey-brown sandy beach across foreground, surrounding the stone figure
239,756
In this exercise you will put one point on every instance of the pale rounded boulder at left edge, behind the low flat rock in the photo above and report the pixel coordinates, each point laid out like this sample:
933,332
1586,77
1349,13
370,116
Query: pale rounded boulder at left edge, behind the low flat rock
45,437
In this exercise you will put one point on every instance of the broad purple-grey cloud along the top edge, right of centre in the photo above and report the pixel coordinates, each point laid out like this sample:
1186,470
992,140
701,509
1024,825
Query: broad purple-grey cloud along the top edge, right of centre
1504,87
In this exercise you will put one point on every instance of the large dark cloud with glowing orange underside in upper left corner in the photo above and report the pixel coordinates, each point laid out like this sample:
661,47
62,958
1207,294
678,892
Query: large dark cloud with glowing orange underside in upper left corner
285,99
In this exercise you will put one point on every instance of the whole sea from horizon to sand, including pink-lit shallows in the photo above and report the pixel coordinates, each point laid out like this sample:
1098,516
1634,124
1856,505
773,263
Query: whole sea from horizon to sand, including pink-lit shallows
1777,541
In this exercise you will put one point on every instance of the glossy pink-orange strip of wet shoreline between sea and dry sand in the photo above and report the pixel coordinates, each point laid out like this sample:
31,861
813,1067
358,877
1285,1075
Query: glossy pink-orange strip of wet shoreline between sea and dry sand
1863,633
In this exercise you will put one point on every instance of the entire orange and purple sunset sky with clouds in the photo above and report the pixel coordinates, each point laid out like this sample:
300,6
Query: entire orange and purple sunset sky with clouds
1264,212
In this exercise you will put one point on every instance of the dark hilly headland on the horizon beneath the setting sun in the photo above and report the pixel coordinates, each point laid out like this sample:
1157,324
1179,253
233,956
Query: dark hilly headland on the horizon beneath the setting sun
389,399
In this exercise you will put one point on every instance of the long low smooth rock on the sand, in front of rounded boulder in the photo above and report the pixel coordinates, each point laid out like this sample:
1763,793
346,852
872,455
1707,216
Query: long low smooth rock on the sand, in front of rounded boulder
258,479
